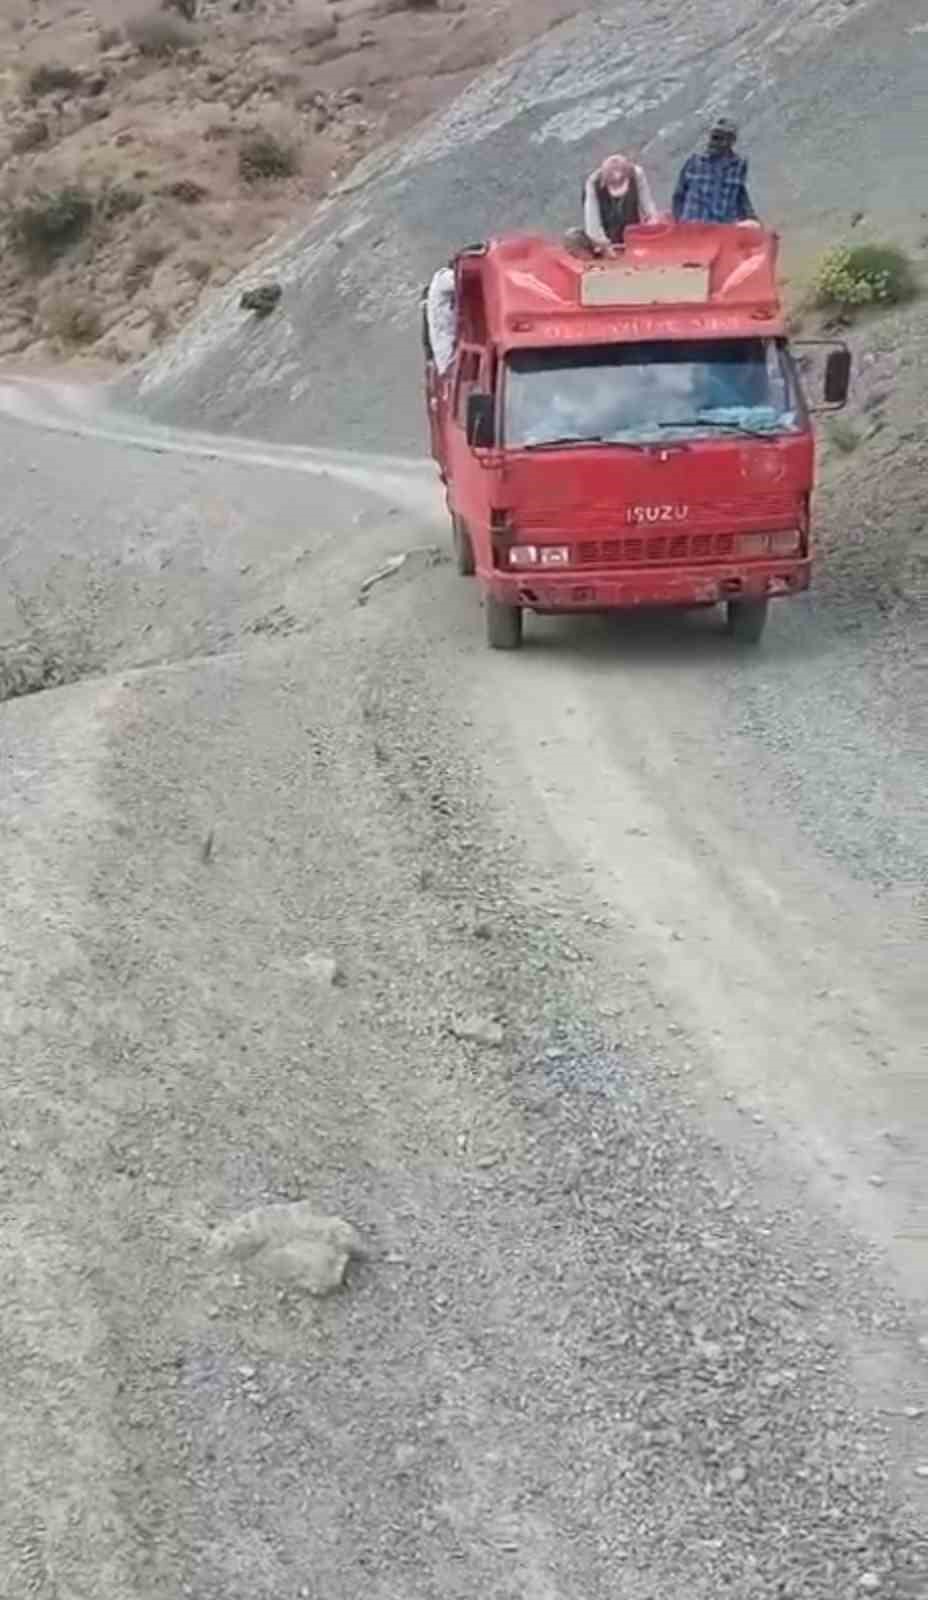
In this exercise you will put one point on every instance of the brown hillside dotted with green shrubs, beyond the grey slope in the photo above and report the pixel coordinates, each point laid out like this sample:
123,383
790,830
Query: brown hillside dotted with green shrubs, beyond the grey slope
148,150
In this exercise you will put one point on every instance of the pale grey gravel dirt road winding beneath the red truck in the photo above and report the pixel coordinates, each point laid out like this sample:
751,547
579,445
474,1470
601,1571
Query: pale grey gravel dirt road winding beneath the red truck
620,1081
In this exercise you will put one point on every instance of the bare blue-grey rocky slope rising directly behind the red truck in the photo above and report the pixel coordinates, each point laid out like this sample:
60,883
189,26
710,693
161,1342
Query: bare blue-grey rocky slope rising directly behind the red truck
809,82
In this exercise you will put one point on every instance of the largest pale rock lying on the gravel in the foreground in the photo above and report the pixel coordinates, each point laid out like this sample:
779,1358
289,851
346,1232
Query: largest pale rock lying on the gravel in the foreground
292,1246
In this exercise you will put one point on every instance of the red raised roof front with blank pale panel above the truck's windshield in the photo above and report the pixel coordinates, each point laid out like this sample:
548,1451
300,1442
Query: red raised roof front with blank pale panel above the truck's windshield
671,281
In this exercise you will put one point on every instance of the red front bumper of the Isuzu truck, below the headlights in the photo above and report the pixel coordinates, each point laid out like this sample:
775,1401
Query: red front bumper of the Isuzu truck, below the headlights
658,586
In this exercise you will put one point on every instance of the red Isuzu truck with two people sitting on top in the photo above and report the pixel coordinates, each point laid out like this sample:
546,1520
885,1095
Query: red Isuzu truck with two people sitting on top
628,431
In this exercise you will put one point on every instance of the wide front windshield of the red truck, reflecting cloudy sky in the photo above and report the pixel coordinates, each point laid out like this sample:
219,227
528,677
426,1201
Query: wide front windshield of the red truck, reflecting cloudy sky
650,393
